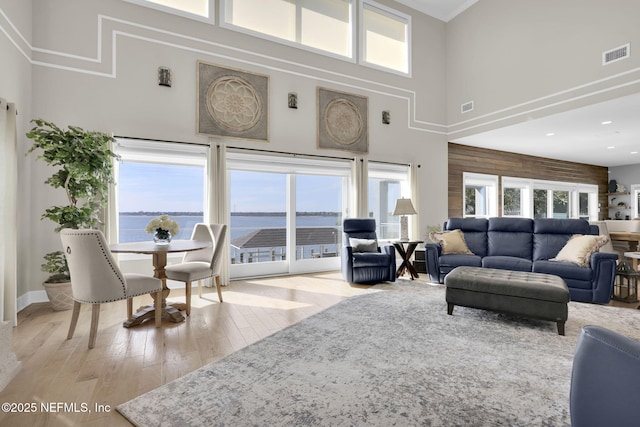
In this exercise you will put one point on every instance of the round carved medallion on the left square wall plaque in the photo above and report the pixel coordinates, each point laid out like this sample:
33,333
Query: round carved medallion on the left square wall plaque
233,103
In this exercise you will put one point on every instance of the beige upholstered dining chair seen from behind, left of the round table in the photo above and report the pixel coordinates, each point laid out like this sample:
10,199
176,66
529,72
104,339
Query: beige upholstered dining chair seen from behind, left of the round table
97,279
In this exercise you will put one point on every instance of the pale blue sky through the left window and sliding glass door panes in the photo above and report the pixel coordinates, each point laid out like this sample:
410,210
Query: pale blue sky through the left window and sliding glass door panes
154,187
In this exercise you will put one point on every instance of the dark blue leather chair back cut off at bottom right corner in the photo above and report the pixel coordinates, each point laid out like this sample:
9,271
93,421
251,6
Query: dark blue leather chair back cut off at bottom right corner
605,380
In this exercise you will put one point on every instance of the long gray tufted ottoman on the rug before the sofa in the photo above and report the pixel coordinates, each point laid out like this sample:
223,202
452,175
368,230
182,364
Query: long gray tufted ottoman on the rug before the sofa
541,296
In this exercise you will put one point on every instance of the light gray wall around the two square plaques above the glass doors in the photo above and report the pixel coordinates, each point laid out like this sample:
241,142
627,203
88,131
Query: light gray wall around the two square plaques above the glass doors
94,65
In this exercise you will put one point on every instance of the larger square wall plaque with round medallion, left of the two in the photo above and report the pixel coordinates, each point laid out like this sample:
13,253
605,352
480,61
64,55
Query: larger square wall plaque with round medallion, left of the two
232,103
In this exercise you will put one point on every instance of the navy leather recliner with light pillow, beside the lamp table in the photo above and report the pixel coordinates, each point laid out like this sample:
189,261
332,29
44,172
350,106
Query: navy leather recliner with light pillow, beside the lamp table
363,261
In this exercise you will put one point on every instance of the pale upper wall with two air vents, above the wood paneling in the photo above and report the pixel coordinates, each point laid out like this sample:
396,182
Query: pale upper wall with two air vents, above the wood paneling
520,60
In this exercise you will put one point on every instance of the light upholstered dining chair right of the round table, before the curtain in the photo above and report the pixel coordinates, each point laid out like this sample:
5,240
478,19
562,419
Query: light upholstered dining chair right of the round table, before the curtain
203,264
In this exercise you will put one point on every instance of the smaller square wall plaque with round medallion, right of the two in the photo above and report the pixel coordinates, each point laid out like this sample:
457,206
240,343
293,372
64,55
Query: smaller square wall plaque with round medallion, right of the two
342,121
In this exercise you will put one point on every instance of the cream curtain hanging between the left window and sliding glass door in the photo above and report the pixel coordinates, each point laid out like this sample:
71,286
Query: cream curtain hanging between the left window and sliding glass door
218,201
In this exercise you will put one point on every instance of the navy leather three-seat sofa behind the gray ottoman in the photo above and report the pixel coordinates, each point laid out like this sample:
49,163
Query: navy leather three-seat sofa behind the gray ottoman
525,244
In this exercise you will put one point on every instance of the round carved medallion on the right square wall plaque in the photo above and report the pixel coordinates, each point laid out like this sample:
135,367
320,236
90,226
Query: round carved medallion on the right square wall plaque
343,121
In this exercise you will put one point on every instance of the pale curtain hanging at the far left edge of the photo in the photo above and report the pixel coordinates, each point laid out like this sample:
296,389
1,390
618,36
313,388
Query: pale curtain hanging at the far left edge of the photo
8,212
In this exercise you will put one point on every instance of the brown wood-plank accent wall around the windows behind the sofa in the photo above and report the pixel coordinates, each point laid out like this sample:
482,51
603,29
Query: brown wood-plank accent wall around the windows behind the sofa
463,158
